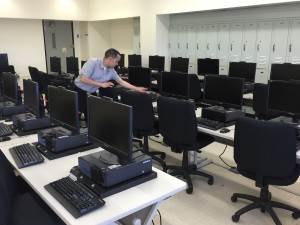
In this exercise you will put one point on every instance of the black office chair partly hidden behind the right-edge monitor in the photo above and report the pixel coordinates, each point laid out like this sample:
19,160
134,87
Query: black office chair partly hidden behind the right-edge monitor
260,102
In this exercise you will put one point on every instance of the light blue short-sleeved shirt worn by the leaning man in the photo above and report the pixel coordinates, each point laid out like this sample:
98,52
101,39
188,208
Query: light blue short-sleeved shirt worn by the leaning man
95,70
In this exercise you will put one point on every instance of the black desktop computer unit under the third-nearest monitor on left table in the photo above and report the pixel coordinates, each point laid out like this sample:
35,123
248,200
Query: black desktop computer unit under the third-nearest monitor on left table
27,123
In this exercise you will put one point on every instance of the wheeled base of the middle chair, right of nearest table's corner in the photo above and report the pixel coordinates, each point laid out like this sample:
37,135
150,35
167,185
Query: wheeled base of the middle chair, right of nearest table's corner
186,170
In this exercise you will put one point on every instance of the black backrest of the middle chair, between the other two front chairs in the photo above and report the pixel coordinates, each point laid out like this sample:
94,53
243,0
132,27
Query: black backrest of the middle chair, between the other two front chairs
177,120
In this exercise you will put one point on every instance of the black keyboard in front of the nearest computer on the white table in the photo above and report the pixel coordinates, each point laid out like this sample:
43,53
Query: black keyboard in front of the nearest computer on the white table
74,196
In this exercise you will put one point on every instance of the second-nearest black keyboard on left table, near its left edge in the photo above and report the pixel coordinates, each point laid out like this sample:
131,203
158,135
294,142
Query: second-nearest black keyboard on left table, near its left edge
26,155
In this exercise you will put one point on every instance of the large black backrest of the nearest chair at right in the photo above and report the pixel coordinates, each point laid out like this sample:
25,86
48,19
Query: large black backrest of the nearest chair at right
266,149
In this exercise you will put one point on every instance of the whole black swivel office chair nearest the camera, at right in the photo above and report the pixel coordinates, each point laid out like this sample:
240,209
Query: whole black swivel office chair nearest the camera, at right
266,153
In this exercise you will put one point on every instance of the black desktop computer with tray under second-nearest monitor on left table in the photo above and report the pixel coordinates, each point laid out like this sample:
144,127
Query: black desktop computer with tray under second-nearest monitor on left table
59,142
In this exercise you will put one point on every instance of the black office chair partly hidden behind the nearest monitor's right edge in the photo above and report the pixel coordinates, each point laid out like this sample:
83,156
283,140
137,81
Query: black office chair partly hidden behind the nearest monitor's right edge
144,123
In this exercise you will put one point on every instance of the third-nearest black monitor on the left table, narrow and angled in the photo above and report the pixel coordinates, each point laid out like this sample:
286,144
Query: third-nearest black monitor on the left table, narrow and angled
32,99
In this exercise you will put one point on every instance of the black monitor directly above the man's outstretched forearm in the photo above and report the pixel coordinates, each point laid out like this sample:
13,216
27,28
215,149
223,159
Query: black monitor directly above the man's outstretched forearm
139,76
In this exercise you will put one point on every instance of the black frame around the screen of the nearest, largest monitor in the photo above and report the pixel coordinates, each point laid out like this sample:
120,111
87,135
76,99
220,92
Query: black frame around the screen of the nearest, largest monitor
124,157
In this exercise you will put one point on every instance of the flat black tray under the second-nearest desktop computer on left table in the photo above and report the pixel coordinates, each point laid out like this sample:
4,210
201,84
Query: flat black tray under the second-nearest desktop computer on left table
55,155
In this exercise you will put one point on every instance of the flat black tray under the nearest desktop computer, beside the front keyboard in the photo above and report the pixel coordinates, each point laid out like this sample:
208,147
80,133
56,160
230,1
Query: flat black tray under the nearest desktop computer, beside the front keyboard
104,192
